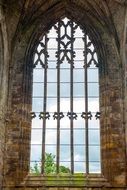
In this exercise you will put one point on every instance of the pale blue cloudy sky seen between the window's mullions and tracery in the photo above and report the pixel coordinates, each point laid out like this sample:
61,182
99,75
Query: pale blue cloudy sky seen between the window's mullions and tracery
78,103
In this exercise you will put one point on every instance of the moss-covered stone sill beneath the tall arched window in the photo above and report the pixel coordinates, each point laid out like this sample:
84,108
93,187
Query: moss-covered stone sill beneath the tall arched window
76,180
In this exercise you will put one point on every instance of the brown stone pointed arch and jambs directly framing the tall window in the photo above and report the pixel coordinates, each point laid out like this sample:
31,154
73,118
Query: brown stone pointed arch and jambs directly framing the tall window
105,39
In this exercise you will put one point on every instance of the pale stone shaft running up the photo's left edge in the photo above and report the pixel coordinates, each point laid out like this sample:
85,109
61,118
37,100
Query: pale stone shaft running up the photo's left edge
4,65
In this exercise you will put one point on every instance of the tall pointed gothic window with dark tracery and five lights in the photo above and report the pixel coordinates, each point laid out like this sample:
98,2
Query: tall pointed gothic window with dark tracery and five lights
65,102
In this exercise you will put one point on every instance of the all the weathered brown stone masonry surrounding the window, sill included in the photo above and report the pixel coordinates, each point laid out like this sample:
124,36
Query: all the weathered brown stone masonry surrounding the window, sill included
21,25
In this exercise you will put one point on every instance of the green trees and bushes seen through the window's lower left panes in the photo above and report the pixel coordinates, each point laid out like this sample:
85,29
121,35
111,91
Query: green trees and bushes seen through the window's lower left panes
49,166
